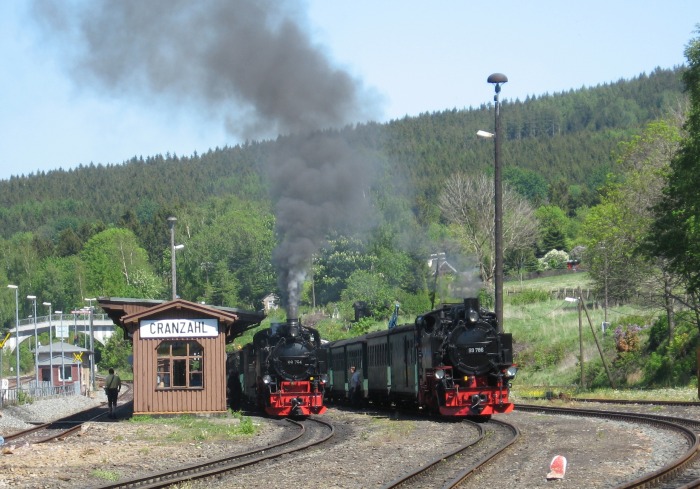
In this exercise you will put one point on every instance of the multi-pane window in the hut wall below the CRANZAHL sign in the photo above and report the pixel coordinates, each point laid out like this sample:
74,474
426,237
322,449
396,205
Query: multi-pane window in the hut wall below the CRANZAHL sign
180,365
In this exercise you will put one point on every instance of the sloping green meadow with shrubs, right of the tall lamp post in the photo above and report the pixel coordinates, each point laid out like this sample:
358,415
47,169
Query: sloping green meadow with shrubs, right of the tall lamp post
549,334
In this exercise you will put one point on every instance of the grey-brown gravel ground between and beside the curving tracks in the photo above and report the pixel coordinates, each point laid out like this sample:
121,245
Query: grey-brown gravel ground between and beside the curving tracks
369,451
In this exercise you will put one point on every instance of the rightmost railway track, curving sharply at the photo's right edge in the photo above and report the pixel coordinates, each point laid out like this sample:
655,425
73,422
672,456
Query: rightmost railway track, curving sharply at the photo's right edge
682,472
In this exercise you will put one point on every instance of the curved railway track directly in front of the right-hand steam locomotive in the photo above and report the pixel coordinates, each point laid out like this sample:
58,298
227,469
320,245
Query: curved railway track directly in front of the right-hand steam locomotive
449,470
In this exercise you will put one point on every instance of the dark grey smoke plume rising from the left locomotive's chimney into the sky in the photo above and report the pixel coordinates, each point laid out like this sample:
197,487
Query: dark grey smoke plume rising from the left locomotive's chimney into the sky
250,63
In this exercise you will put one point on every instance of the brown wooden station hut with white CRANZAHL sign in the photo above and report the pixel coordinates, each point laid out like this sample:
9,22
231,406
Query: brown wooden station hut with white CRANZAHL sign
179,352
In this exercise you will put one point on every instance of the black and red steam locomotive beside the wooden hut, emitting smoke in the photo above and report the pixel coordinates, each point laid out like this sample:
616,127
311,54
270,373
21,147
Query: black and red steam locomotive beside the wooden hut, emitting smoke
283,371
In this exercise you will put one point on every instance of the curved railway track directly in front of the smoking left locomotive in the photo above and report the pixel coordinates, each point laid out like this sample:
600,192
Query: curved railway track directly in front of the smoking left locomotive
313,431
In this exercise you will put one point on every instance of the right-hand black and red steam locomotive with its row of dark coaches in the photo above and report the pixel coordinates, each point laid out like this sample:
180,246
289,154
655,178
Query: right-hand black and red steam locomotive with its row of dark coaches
452,362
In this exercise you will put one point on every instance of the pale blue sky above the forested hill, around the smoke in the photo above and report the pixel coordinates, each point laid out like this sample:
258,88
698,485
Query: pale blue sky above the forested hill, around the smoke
414,56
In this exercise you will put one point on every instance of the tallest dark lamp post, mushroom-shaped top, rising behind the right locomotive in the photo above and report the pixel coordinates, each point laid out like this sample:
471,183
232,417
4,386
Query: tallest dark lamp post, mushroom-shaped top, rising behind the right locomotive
497,79
